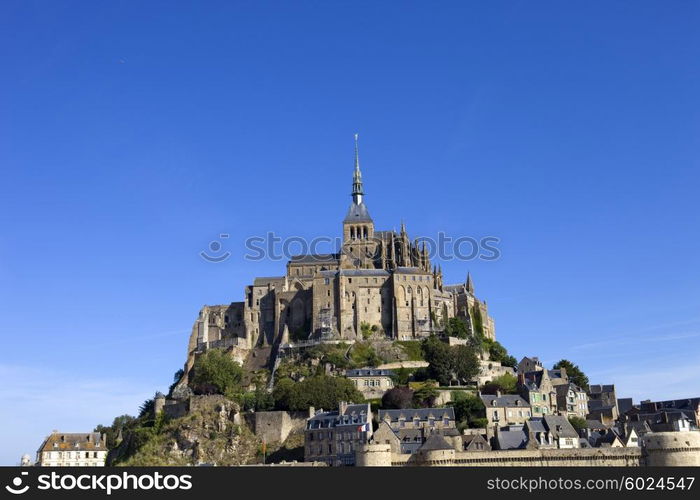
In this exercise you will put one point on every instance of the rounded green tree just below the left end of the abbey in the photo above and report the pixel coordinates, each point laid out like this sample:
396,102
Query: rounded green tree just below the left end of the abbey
215,372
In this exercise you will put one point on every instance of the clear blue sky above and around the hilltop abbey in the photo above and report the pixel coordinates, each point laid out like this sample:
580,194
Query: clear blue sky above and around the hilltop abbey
133,133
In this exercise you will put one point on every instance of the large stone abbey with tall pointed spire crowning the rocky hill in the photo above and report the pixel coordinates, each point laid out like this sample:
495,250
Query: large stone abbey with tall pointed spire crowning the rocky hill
378,281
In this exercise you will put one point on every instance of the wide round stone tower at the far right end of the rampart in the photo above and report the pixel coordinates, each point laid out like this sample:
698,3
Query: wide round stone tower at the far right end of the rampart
671,449
